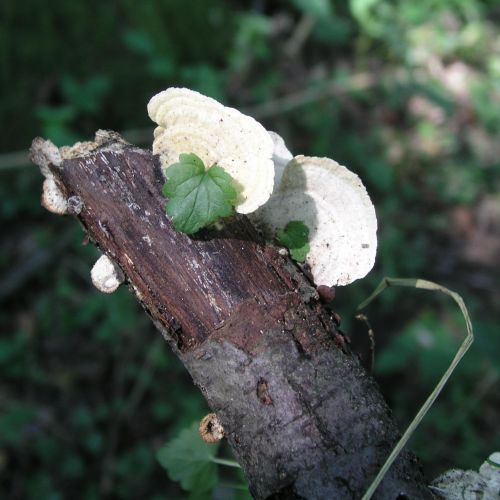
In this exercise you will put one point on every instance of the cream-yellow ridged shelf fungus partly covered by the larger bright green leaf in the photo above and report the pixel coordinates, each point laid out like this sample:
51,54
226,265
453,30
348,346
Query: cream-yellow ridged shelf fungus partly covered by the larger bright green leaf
189,122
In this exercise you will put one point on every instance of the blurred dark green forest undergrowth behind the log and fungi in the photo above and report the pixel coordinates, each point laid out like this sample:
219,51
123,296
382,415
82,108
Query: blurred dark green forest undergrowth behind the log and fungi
407,94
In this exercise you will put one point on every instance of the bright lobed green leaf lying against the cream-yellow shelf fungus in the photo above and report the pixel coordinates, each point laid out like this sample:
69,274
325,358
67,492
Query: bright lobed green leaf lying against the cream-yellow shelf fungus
197,196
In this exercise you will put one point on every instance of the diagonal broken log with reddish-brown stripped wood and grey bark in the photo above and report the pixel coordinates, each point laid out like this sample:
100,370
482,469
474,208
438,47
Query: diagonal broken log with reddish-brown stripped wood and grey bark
302,416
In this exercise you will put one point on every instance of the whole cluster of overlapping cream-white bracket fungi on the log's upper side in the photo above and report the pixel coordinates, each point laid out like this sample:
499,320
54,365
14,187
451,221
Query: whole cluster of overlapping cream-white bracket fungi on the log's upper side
329,199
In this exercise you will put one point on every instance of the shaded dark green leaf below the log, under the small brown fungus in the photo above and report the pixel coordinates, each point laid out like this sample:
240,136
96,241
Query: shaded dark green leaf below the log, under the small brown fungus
189,460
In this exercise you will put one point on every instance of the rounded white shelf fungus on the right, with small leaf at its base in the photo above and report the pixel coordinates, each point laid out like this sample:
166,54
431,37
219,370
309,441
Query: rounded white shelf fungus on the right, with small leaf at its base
334,204
